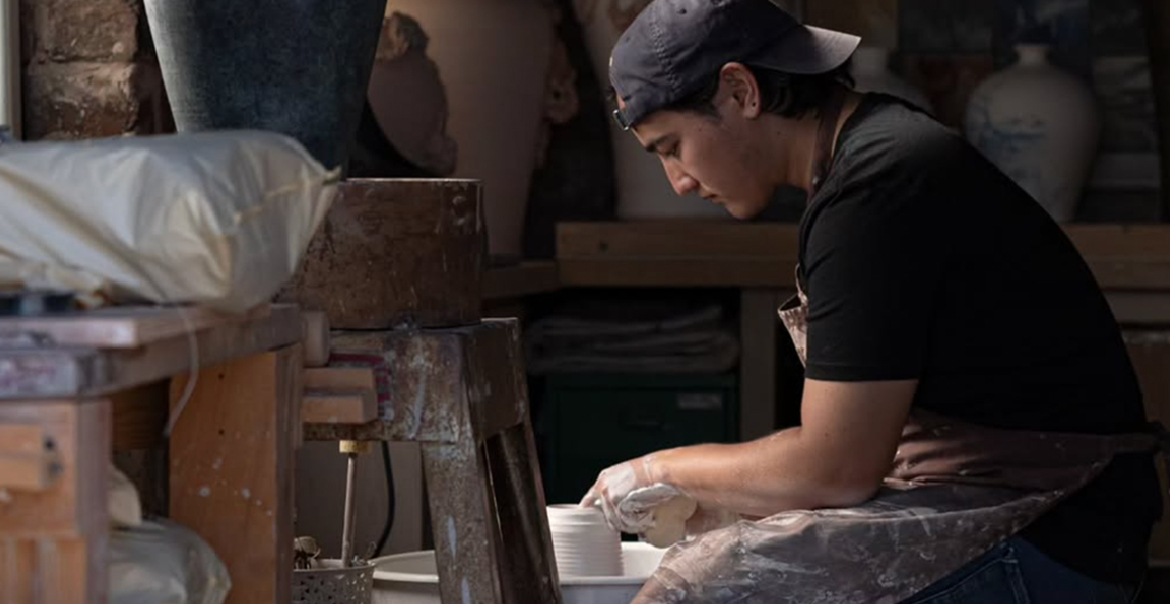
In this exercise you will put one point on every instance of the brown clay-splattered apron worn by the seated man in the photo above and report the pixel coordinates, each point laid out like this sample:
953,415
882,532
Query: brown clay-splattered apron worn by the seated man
955,492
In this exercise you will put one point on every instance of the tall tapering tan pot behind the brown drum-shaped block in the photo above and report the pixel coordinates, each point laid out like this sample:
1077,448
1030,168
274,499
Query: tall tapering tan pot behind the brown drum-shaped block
493,58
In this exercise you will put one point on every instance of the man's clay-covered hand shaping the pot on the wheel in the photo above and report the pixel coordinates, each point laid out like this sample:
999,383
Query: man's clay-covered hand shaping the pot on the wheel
629,493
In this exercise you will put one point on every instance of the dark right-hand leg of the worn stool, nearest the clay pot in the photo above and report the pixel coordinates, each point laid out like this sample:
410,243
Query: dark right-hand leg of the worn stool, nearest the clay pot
529,568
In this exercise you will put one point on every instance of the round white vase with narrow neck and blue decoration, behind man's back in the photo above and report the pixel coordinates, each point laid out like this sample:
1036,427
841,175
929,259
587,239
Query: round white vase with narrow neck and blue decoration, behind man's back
1041,126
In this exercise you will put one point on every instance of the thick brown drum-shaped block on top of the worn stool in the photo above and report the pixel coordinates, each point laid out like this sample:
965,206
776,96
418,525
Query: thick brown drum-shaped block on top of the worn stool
396,253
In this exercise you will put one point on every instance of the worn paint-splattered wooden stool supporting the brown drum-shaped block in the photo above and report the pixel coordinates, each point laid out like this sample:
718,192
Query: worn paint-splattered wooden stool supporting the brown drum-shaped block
462,394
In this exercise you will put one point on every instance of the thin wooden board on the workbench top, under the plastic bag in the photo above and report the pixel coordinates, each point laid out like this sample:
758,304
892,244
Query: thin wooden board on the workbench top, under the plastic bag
123,327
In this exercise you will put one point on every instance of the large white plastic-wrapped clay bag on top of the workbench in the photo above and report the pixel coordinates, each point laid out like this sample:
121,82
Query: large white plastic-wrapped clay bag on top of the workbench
215,218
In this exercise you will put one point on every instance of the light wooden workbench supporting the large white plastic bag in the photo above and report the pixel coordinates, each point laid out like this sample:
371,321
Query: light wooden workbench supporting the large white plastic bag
231,451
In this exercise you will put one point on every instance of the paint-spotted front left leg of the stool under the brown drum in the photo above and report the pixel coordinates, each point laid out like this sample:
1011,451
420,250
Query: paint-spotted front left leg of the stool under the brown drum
463,519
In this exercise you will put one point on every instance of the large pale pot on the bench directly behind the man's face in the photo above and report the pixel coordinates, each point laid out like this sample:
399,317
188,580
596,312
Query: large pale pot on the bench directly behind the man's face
643,190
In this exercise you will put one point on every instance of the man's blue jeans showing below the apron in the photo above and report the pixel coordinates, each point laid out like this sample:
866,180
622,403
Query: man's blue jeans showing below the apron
1016,573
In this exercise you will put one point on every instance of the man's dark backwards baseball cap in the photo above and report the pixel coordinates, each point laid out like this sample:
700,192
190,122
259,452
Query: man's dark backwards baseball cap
676,46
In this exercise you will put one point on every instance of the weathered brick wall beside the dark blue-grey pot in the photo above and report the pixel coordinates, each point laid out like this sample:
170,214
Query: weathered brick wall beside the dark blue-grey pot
90,71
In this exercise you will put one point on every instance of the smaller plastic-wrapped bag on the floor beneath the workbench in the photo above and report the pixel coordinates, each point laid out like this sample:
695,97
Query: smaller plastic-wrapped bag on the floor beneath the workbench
160,562
